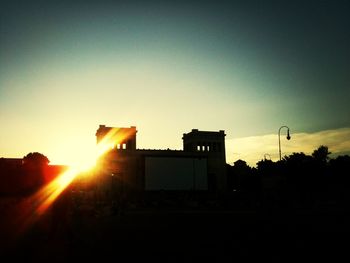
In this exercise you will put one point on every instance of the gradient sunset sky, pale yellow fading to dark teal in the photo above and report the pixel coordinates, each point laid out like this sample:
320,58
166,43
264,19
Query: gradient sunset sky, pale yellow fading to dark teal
246,67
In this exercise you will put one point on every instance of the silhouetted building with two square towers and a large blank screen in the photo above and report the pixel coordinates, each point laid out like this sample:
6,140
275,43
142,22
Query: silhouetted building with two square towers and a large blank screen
200,166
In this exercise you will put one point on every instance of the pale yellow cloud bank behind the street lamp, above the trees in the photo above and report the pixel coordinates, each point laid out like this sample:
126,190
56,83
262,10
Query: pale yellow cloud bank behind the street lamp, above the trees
255,148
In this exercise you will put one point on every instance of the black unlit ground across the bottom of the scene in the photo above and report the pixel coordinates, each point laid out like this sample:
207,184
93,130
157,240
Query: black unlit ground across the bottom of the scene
188,236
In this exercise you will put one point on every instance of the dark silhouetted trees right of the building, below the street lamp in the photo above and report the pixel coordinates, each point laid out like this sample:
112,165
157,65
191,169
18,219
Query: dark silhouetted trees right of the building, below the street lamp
298,181
